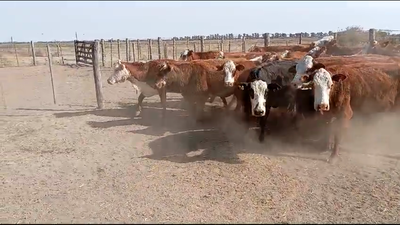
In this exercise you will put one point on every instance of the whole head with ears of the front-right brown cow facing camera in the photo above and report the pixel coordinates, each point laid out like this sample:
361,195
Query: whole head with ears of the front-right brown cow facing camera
322,82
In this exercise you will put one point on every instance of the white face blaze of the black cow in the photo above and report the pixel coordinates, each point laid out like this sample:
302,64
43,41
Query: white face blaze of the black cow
258,93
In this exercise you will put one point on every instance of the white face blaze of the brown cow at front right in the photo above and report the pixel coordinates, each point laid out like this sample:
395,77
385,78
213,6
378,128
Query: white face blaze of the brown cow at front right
322,87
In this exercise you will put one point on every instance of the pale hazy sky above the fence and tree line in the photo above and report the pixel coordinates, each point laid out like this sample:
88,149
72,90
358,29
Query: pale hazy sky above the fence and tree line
48,21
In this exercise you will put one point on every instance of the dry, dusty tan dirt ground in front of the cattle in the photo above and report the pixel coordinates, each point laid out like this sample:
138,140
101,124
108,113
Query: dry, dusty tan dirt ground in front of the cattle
69,163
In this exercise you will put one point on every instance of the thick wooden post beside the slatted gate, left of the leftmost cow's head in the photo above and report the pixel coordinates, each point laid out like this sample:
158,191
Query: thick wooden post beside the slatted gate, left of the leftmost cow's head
97,75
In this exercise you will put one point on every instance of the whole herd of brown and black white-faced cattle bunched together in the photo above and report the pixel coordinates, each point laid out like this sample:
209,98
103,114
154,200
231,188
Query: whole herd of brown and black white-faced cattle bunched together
323,81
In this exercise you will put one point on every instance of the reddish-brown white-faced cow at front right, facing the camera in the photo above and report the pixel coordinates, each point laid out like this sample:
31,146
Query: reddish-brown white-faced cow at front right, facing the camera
362,90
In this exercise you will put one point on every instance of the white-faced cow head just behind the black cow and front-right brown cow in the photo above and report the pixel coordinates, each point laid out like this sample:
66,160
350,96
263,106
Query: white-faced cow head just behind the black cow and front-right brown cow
304,66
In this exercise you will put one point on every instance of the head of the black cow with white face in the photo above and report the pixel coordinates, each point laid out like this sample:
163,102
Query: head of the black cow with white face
257,90
